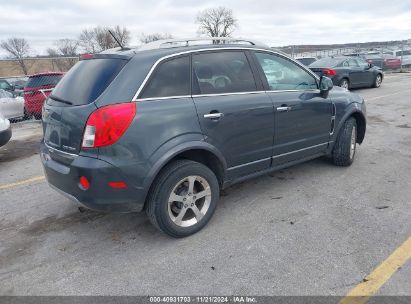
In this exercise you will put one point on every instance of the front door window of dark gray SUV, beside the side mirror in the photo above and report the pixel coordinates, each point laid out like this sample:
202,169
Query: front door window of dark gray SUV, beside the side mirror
283,74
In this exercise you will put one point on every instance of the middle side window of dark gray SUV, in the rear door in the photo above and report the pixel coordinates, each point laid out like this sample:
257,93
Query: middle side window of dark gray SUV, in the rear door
222,72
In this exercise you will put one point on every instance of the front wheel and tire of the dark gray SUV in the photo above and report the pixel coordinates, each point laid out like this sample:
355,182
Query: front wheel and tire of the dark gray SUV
343,155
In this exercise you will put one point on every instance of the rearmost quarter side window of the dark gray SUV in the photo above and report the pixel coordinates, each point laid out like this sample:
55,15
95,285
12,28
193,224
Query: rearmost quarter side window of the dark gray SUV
171,78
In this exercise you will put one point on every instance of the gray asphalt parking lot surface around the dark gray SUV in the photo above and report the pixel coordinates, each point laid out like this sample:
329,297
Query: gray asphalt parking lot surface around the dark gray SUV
313,229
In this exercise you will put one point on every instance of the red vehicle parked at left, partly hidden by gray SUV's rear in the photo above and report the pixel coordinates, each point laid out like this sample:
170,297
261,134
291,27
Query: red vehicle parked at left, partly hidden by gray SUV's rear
37,88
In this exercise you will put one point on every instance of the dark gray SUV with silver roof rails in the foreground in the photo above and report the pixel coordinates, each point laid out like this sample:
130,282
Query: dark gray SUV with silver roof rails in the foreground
163,128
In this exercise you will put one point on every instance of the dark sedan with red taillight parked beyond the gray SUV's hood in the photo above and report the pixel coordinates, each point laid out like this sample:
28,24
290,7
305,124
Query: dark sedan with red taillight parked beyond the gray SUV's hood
348,72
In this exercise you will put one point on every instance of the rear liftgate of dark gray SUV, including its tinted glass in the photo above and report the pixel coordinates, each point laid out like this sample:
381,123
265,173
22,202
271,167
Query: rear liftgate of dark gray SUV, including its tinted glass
67,109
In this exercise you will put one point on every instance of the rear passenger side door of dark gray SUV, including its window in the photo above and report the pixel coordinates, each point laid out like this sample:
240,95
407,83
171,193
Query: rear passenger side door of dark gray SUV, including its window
234,112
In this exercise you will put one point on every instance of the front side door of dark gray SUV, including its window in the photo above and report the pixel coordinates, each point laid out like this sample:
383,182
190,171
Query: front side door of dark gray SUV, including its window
302,116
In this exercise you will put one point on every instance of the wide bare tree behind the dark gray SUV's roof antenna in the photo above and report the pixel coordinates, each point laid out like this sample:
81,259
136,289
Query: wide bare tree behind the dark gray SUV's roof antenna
99,39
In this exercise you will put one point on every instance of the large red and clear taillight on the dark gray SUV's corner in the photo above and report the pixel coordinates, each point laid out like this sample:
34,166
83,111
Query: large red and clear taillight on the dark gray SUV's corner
107,124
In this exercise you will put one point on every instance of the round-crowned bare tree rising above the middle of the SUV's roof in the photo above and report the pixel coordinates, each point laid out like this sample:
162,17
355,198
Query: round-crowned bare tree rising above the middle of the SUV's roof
216,22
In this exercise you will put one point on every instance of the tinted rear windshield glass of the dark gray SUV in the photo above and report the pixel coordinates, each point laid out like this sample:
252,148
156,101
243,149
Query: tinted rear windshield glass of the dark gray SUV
86,80
